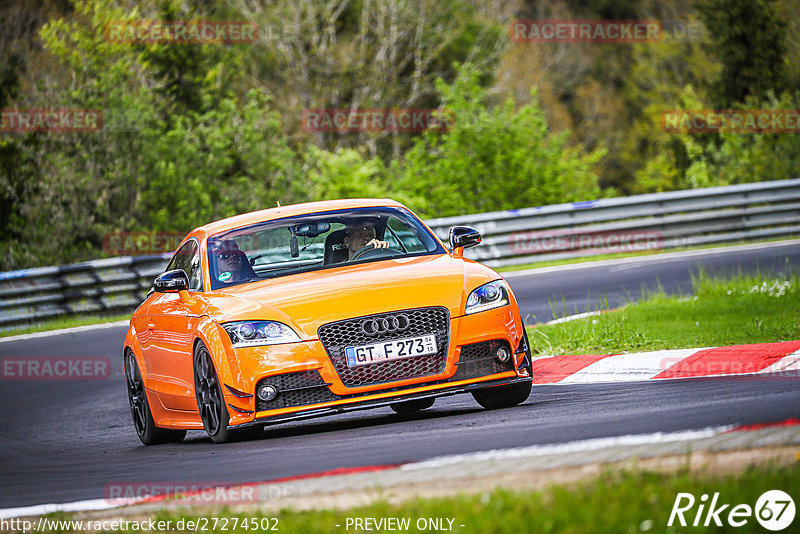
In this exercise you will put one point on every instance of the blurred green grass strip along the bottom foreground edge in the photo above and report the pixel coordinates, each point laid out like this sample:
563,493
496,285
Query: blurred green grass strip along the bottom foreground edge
627,501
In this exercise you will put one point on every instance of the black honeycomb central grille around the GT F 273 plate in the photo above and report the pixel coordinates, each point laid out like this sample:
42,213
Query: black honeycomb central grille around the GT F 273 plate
336,336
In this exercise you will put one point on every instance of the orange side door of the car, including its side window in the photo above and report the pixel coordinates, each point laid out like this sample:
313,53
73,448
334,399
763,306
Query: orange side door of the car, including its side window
169,354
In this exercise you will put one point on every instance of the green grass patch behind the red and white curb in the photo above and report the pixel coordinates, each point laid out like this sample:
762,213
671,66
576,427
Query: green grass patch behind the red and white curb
722,311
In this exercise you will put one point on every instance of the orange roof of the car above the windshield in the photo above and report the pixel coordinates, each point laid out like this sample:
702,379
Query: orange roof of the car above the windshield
280,212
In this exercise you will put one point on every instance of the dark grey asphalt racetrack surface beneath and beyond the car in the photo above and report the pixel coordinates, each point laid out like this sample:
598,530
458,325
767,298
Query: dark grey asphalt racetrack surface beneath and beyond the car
67,440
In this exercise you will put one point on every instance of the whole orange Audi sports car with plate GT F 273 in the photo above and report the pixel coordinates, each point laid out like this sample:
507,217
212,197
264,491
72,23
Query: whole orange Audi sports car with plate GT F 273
318,309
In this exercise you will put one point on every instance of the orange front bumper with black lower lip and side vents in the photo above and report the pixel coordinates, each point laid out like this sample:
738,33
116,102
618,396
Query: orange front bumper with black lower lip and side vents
307,375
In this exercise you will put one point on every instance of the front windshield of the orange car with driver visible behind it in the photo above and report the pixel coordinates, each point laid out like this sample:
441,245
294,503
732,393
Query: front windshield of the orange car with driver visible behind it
316,241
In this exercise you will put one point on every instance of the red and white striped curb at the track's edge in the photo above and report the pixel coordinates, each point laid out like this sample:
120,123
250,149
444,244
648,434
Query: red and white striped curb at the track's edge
762,358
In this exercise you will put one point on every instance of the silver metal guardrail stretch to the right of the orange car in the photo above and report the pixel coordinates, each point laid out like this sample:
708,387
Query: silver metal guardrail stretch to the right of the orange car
694,217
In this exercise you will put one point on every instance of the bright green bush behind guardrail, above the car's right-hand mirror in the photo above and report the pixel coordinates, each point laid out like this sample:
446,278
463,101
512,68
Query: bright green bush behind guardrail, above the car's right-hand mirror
493,158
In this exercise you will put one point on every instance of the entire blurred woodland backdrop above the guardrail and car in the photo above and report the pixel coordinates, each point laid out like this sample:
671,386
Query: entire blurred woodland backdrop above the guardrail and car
193,133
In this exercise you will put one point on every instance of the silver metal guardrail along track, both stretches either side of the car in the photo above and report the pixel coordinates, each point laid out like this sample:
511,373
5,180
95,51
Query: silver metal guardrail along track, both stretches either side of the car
656,221
